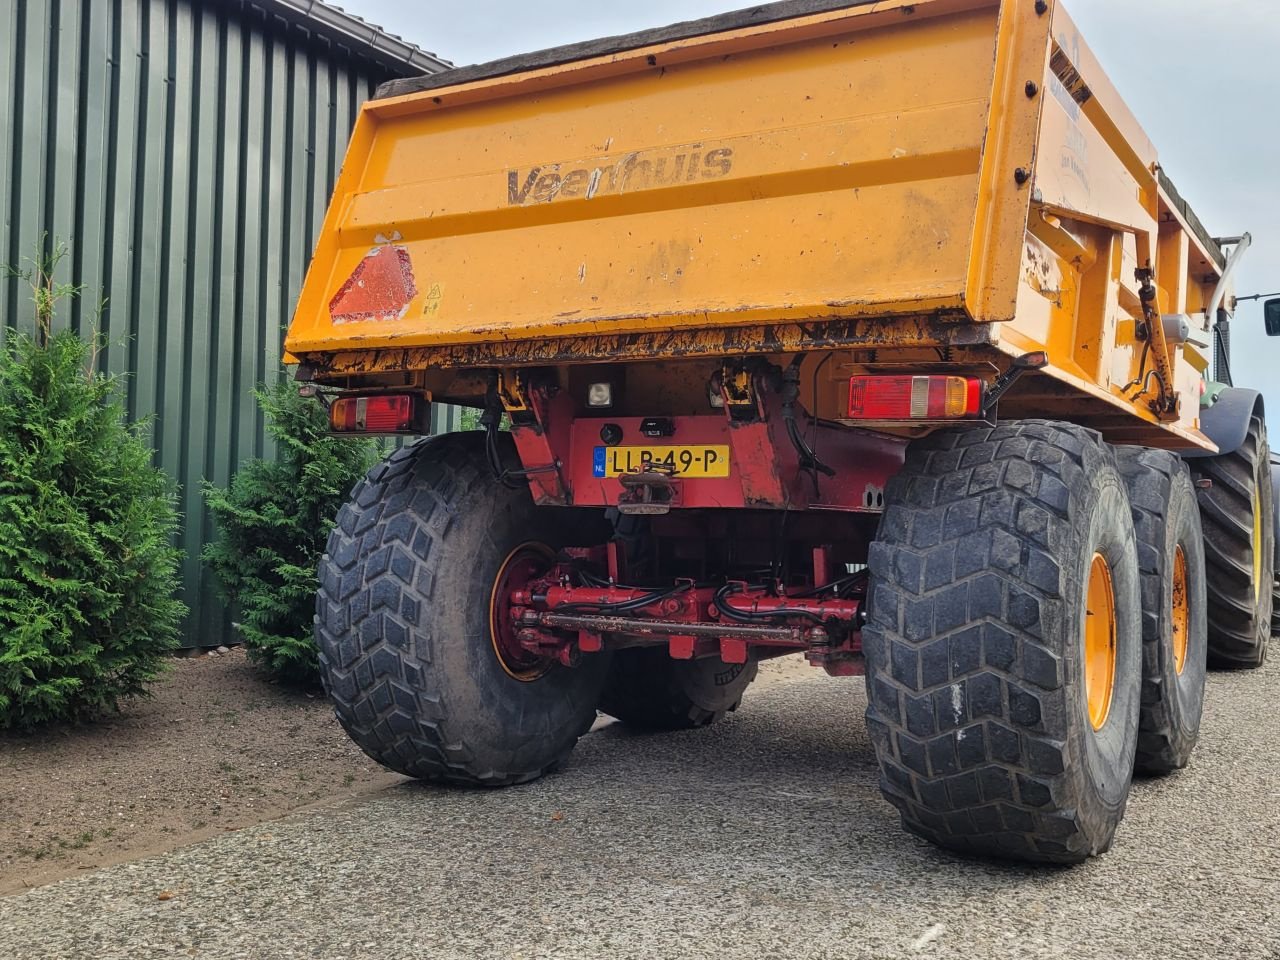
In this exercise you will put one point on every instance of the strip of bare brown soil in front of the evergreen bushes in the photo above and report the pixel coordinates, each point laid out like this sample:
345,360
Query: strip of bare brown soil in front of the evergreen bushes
216,749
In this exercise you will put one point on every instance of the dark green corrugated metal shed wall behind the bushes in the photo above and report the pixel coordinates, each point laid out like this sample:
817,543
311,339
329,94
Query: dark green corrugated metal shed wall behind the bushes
186,153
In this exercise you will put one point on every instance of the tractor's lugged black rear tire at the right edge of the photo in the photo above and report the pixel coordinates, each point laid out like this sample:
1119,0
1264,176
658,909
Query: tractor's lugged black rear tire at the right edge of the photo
1240,614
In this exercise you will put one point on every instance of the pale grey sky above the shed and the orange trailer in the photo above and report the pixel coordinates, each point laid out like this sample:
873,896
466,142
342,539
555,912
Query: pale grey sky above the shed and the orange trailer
1204,79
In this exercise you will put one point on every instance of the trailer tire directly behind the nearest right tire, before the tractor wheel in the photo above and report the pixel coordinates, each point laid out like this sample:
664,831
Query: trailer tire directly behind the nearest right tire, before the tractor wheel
1167,518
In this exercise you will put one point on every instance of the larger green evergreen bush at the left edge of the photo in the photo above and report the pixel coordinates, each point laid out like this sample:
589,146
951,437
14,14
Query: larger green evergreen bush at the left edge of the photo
88,570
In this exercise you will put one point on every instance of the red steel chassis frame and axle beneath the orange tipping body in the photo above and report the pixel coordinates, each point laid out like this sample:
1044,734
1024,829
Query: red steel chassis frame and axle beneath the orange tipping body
552,614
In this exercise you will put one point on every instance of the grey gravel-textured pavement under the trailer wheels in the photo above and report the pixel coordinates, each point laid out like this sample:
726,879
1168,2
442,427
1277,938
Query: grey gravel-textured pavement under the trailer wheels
762,838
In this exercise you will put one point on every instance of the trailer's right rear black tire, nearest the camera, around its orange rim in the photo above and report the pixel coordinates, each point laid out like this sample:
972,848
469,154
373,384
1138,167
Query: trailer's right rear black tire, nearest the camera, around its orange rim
976,642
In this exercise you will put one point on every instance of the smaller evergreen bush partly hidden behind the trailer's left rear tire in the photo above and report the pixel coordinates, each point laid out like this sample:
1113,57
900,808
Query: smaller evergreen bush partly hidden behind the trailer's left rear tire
273,523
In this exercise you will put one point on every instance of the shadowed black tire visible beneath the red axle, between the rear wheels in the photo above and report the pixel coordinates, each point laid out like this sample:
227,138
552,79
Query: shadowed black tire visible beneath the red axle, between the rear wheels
650,691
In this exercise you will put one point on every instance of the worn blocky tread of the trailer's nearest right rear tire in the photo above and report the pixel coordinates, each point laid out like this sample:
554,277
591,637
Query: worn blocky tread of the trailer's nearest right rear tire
964,612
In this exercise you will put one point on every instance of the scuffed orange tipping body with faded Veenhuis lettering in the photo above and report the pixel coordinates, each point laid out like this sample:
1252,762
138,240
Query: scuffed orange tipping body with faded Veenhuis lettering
883,185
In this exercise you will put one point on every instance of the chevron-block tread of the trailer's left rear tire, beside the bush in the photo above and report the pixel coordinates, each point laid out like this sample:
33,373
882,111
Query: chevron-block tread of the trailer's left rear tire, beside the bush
378,580
